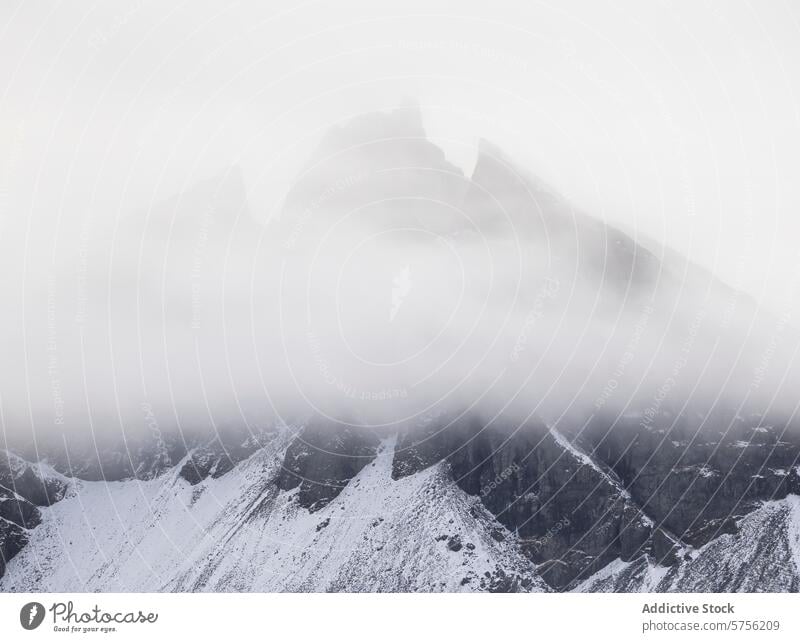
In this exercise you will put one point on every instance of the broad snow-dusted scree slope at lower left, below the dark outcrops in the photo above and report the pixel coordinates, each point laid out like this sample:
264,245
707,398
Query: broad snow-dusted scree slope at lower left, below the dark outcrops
239,532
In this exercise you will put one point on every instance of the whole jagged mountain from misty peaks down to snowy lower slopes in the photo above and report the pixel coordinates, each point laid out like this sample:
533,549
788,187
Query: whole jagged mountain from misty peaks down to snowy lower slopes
413,379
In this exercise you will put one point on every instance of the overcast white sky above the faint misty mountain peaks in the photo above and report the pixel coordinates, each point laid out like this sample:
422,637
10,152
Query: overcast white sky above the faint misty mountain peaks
678,120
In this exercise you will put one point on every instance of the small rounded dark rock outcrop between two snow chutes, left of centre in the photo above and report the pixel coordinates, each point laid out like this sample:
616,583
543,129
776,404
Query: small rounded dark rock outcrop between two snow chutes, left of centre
322,459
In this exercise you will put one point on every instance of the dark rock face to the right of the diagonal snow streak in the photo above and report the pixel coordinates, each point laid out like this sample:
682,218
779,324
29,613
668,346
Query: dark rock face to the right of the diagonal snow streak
697,482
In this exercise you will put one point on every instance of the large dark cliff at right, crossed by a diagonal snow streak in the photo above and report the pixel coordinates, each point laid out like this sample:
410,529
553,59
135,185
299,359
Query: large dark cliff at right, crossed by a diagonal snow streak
643,491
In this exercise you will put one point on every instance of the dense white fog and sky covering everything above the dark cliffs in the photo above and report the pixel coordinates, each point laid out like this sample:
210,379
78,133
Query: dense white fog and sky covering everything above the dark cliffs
241,215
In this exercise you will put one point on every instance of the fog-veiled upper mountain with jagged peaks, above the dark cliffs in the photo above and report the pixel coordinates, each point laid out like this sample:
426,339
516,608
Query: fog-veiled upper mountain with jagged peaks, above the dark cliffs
390,286
